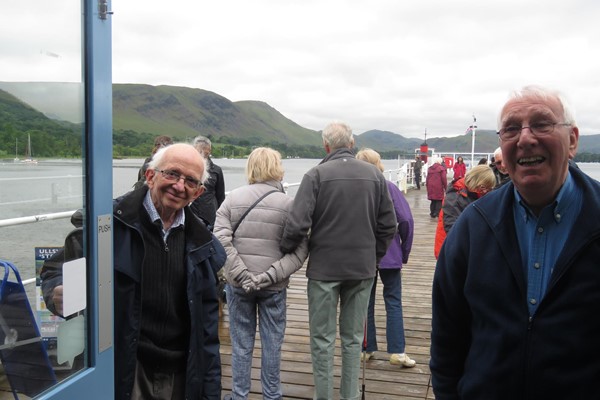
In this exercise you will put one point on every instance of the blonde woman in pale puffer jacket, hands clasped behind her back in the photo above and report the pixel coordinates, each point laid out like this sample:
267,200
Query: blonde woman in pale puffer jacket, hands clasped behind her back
250,226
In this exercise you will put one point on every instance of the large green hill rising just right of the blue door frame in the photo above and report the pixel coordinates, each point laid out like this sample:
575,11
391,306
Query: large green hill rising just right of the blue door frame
184,113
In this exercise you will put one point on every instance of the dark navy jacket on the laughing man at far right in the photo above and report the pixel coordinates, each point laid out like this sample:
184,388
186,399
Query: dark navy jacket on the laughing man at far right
483,343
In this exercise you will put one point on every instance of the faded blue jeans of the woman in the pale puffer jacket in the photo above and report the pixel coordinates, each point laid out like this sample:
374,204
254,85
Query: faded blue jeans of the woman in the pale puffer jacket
243,309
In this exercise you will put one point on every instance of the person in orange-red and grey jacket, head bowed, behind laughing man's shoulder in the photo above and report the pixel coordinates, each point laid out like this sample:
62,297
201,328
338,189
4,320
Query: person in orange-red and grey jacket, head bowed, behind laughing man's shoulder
462,192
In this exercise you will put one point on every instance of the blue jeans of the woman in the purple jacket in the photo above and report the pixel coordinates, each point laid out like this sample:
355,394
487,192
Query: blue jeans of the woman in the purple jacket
392,296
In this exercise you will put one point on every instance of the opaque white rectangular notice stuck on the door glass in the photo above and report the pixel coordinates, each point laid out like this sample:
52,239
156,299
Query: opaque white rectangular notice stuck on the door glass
74,286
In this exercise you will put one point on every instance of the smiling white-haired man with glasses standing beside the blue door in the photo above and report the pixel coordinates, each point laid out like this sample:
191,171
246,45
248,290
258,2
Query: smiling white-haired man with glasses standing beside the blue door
165,274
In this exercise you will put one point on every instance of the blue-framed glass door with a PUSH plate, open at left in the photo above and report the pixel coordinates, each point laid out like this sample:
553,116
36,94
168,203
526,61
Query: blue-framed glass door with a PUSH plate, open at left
55,222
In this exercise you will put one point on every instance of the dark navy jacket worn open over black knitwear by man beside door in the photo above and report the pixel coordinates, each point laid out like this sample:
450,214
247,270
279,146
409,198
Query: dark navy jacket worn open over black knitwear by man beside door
204,257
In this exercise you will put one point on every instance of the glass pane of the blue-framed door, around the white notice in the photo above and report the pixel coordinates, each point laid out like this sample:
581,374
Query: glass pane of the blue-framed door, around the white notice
42,184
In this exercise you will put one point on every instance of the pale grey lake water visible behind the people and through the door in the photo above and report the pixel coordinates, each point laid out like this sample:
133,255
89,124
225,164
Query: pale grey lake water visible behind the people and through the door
56,186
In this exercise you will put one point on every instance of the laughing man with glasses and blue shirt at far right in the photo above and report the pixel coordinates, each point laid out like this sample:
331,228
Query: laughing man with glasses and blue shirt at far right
516,291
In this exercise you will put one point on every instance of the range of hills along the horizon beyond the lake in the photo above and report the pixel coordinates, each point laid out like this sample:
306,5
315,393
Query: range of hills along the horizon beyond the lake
184,113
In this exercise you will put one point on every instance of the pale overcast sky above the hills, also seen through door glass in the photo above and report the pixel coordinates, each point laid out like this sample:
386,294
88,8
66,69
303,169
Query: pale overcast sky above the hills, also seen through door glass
396,65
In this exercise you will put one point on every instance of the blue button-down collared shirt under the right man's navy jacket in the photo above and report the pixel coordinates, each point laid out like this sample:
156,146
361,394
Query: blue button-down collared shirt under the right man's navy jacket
541,239
